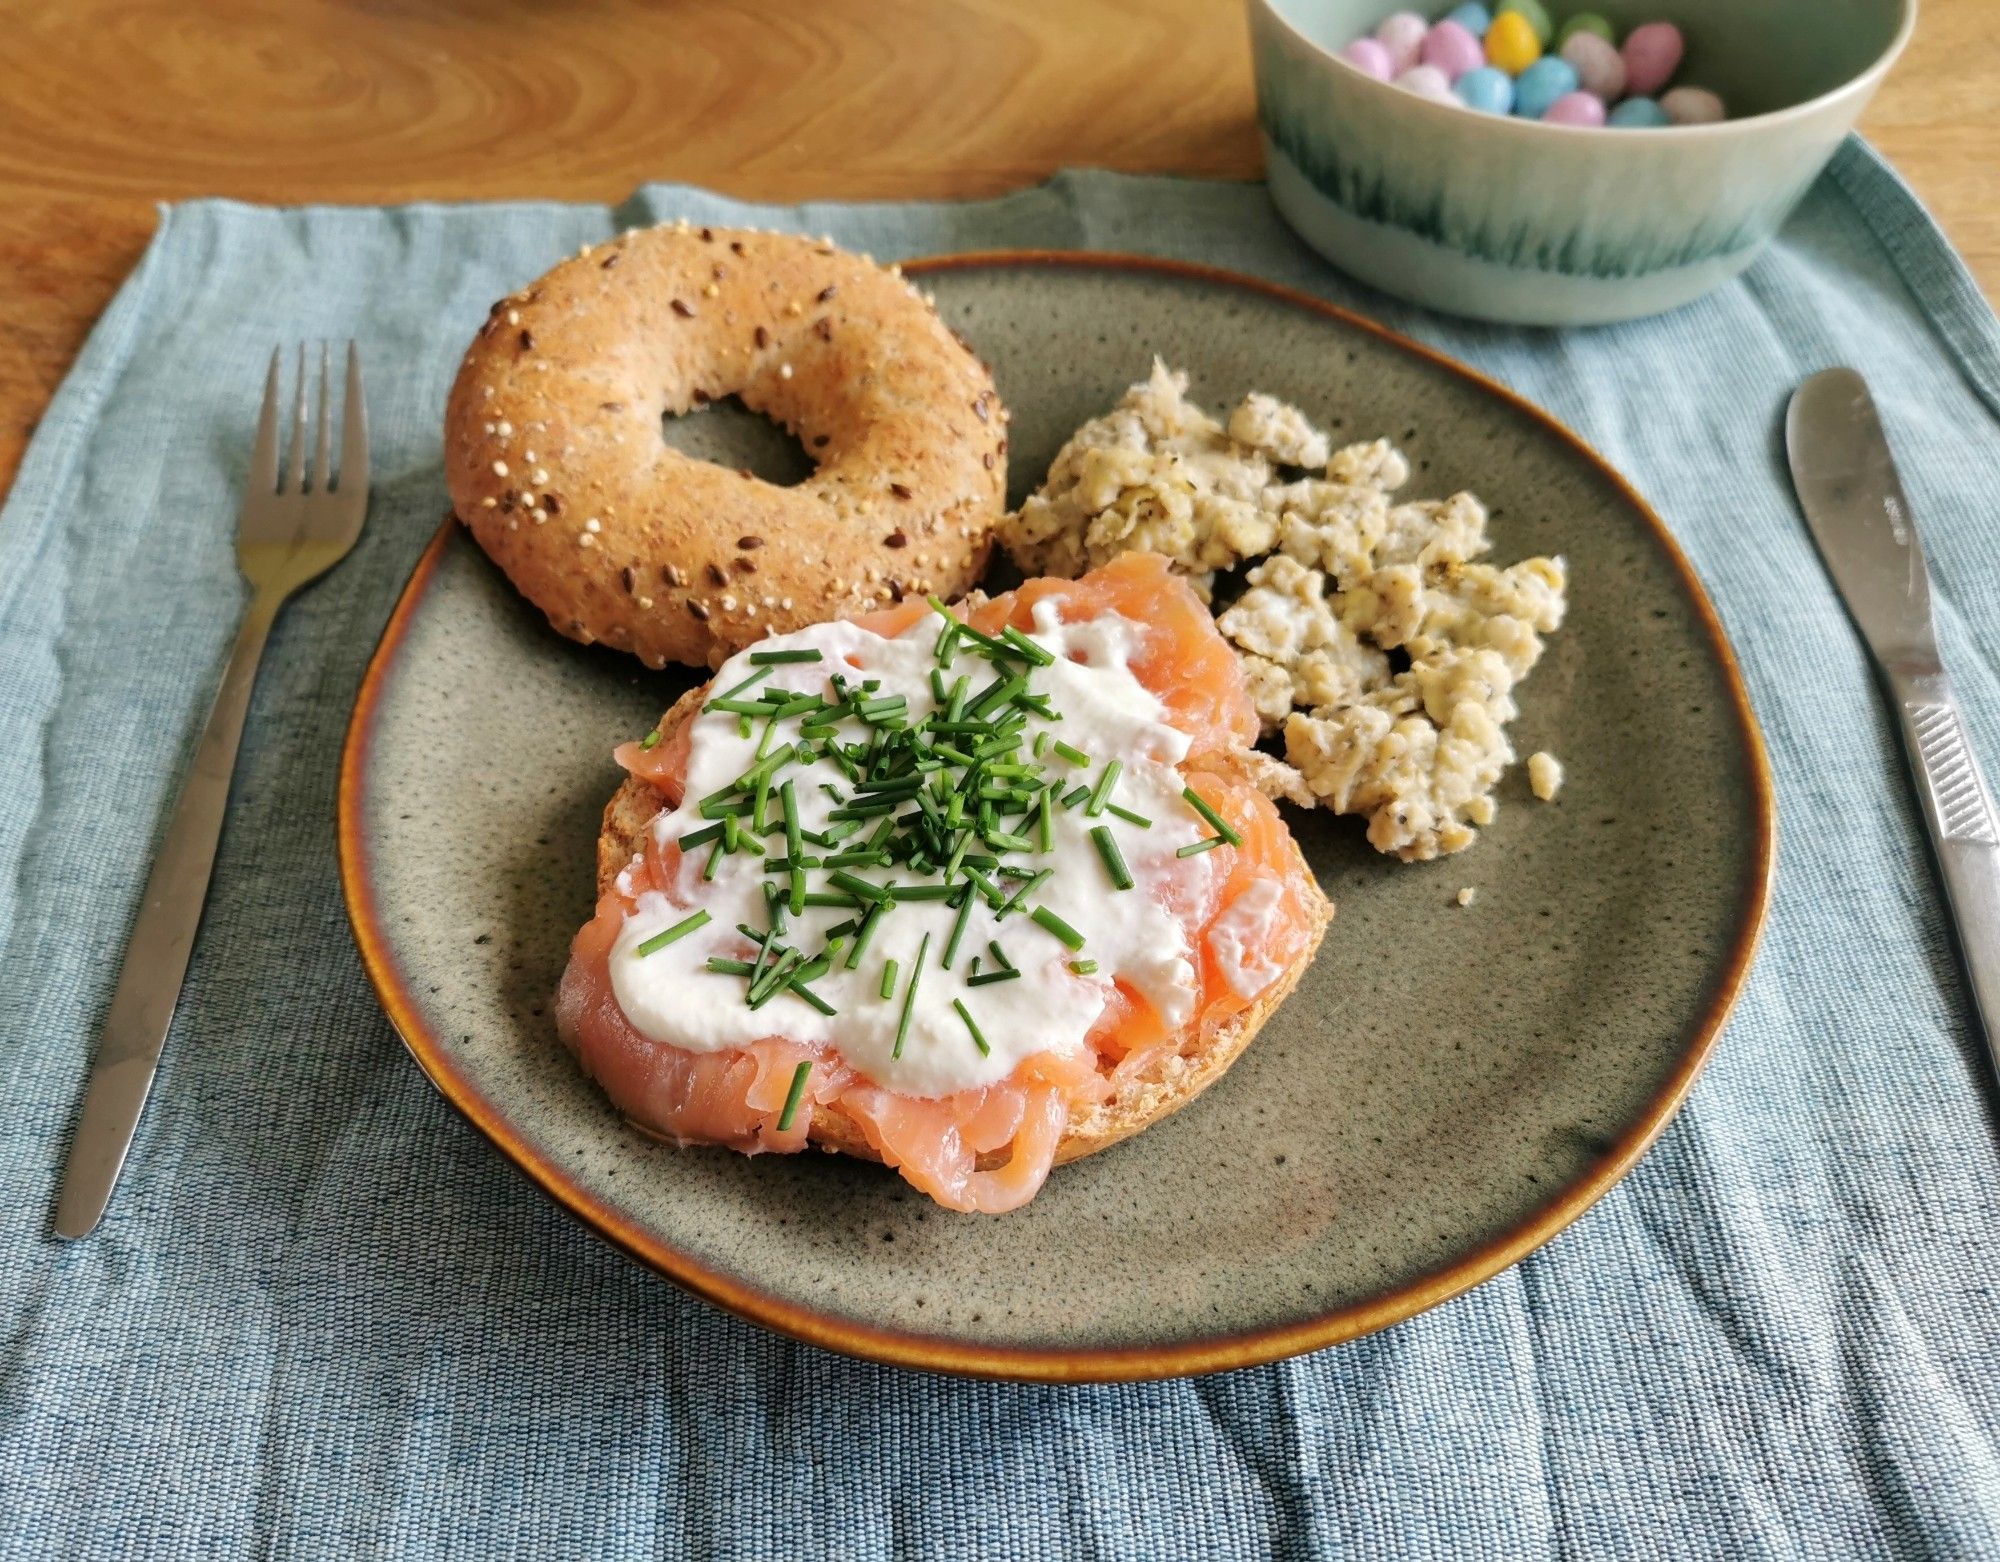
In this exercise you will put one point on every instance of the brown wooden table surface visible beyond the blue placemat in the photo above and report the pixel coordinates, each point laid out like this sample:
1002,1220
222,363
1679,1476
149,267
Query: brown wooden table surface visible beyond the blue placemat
115,105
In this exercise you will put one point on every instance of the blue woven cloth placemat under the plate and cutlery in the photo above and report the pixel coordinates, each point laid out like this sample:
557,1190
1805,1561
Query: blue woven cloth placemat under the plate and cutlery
325,1319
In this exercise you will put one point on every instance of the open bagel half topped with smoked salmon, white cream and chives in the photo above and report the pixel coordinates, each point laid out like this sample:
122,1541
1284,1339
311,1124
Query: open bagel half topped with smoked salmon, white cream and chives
953,933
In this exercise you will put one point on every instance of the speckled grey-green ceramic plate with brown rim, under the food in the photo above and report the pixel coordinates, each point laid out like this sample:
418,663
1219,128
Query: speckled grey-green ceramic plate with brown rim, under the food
1447,1089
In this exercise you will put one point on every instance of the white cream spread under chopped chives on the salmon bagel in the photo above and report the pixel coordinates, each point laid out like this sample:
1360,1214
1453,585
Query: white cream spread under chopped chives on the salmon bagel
955,1031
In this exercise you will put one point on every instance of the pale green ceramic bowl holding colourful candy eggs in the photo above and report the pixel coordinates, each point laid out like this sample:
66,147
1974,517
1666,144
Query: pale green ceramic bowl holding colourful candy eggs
1549,225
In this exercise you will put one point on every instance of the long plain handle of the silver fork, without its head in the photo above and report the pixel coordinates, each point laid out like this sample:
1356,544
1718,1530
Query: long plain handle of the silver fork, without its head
163,939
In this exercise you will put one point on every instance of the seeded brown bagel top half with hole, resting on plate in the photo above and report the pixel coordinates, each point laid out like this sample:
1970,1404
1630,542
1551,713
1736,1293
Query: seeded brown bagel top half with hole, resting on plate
555,459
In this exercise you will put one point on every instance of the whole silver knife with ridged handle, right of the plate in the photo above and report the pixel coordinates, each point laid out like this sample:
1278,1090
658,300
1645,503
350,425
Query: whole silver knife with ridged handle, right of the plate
1853,501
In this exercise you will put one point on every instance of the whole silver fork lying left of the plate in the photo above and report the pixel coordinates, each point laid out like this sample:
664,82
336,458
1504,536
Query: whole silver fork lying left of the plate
291,533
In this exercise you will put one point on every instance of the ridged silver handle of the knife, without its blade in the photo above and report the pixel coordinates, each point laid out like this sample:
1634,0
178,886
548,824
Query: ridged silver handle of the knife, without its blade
1963,829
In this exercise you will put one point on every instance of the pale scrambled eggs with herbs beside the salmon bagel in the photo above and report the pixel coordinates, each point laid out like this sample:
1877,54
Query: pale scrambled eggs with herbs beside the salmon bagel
1373,641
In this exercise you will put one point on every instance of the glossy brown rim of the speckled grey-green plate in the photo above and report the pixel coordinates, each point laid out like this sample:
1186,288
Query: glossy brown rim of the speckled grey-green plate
1035,1363
